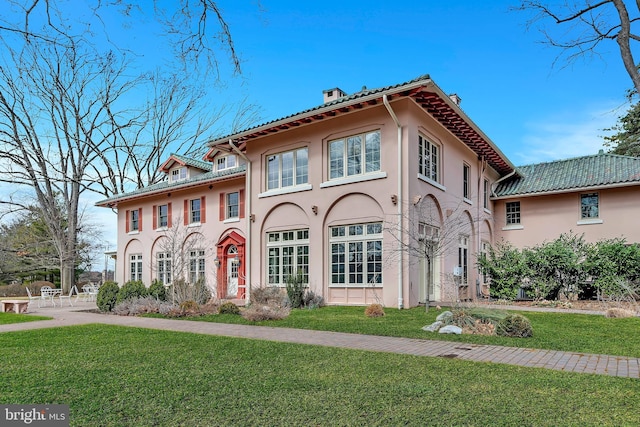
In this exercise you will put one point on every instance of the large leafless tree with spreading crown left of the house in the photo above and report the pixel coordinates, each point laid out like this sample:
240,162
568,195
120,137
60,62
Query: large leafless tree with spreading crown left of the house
77,116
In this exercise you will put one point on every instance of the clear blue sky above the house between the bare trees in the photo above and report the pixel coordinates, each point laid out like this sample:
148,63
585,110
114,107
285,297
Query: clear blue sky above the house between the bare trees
293,50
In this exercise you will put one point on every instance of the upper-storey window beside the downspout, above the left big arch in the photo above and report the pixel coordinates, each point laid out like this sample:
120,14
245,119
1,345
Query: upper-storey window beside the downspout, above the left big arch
288,169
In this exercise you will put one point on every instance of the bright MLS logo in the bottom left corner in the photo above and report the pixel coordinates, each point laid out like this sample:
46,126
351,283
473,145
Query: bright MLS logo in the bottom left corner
34,415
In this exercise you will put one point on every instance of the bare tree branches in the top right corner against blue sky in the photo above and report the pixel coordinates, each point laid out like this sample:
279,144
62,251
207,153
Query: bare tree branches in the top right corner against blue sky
586,24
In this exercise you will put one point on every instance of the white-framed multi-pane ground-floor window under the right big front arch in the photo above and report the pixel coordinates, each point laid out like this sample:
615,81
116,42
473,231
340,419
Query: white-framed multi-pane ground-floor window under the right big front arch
356,254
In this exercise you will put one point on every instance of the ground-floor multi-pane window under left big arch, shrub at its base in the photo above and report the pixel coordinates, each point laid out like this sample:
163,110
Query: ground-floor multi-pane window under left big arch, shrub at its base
287,256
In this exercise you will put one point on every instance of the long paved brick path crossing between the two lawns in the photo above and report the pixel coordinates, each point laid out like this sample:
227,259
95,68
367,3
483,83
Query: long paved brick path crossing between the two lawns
549,359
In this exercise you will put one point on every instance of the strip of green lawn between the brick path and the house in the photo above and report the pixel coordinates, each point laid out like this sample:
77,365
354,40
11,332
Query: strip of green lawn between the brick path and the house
556,331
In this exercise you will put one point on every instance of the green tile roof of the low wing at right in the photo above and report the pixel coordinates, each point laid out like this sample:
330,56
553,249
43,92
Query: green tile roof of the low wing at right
587,172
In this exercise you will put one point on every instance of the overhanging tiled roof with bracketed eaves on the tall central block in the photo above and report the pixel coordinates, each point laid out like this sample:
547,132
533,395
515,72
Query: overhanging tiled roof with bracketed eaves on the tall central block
421,89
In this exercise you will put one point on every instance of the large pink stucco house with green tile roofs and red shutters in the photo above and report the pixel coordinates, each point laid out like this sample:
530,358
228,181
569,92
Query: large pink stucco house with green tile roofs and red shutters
386,195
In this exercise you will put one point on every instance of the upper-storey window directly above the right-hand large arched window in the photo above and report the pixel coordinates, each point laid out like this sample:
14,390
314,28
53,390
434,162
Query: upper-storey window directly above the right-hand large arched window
354,155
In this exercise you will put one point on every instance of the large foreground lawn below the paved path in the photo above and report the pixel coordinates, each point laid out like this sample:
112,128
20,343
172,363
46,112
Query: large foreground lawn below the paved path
117,376
